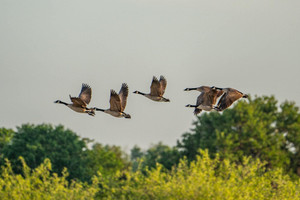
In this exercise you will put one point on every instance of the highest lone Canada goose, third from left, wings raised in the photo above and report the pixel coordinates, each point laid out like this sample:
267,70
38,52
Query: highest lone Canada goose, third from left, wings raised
157,90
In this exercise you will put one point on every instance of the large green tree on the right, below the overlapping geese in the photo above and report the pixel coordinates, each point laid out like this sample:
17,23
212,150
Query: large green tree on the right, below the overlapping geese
257,128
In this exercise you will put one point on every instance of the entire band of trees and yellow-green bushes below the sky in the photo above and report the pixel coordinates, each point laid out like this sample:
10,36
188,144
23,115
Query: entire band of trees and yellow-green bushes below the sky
235,140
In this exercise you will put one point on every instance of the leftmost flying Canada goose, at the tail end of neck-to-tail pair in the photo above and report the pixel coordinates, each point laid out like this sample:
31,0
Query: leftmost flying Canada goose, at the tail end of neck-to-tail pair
79,103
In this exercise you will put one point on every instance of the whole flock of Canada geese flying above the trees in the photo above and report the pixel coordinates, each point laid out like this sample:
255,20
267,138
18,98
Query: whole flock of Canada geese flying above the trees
205,101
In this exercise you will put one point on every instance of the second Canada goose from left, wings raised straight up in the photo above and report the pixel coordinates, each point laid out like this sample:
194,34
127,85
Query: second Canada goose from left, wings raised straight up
117,103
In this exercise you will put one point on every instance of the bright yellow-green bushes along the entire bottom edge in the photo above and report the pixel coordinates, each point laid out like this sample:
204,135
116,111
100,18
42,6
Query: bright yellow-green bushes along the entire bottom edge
204,178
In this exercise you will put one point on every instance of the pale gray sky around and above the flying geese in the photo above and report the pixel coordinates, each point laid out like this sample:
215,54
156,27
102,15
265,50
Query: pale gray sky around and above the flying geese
49,48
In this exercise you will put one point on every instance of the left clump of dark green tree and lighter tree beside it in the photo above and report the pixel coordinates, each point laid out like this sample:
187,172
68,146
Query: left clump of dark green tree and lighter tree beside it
64,148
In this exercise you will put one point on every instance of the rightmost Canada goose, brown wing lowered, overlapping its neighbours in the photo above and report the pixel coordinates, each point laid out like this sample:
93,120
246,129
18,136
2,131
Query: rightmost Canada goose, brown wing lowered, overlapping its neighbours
230,95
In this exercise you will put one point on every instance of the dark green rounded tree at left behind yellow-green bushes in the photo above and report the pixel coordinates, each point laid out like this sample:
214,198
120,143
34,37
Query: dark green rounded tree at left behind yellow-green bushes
35,143
